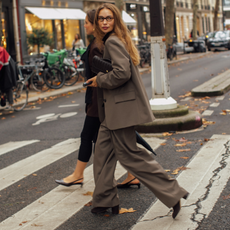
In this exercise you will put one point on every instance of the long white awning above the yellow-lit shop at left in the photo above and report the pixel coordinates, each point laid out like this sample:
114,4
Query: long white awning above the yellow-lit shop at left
57,13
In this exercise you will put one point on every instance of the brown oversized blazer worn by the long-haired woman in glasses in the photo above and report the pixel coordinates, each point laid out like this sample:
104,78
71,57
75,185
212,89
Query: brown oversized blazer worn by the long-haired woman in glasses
122,99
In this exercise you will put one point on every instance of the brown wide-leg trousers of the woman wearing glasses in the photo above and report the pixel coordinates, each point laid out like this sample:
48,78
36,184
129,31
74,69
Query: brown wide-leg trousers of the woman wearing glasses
113,145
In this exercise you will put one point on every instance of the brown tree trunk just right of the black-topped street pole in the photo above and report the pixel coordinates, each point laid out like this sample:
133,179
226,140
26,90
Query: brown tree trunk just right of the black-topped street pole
169,21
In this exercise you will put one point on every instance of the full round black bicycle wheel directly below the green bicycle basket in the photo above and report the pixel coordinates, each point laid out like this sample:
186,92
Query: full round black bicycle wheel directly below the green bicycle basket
54,78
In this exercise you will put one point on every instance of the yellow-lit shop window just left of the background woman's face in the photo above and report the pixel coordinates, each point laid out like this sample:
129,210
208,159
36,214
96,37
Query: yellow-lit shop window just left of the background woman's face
71,28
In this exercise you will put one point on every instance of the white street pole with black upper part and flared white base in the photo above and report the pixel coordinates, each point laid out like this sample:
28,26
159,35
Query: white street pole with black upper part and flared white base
161,99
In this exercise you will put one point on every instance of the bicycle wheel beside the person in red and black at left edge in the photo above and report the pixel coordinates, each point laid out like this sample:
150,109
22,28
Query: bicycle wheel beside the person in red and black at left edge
20,96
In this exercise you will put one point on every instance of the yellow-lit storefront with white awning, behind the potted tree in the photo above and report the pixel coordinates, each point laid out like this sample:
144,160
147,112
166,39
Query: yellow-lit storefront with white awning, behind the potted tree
63,30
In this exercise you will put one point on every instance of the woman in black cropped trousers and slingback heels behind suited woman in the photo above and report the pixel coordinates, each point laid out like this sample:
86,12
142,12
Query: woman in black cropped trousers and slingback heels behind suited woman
92,122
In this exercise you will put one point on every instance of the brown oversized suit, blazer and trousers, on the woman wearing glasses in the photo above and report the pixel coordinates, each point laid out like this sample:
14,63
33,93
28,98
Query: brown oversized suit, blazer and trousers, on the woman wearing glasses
123,104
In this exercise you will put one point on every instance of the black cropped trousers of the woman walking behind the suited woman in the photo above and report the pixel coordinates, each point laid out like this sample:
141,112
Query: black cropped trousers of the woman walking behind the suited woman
88,136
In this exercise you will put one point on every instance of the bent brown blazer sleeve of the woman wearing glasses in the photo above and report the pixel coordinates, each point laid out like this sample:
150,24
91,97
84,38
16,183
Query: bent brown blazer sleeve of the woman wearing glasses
120,61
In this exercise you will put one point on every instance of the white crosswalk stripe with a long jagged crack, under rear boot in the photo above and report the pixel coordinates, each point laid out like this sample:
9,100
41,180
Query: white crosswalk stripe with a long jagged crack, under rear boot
205,179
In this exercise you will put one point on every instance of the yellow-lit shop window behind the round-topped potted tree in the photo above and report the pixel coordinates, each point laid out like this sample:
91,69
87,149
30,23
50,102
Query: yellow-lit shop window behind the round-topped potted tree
32,21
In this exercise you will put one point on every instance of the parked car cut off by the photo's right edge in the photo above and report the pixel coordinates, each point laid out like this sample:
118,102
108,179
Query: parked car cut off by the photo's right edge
219,41
